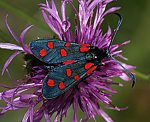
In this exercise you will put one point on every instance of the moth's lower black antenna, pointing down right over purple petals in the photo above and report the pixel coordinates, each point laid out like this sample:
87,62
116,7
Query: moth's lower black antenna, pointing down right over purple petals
130,75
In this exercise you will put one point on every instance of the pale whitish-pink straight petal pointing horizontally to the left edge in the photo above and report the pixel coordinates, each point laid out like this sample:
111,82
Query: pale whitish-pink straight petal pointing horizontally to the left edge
10,46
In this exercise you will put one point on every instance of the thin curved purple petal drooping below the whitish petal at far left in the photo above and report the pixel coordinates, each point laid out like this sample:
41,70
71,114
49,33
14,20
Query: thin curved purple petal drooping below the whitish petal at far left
9,61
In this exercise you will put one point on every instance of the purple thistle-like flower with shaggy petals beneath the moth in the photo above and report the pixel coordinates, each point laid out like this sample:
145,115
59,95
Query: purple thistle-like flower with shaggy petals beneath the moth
92,91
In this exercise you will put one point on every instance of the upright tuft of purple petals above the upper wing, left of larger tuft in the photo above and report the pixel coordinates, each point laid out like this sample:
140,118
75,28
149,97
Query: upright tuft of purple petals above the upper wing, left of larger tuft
51,17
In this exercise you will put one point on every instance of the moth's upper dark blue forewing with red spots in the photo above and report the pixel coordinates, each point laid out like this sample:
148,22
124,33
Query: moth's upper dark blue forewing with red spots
56,51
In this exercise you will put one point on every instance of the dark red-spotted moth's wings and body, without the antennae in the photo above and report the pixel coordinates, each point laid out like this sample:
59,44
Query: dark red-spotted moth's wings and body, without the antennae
72,63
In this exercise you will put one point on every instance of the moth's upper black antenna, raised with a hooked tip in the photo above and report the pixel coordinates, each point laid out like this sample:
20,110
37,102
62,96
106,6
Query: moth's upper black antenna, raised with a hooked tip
116,30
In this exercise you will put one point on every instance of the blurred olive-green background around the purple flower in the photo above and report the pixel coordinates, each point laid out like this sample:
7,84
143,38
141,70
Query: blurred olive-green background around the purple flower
135,27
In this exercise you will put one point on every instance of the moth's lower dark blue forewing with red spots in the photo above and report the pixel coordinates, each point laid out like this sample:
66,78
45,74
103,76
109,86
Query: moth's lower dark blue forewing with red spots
60,79
